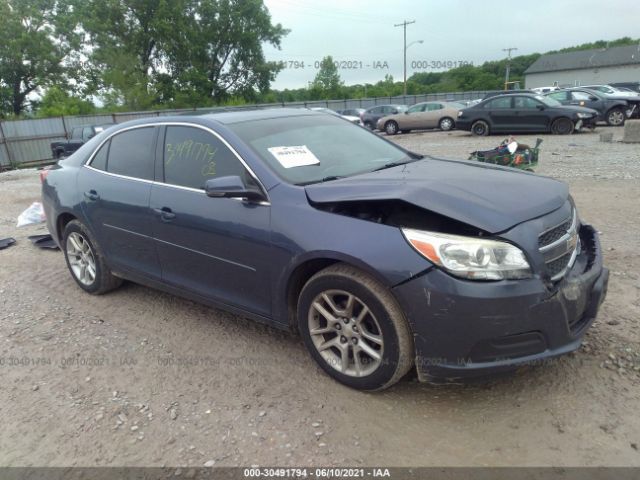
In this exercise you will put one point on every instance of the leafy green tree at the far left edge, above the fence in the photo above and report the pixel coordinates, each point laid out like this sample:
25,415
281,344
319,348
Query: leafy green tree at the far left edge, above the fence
33,44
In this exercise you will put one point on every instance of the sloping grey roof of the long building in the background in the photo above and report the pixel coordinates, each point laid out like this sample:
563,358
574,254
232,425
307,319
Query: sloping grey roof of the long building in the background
610,57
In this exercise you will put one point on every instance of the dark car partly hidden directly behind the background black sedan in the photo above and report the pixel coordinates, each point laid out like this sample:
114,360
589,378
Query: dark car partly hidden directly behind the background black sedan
612,110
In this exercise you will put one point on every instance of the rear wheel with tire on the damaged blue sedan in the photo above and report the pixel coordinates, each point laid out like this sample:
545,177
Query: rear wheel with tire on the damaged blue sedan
81,250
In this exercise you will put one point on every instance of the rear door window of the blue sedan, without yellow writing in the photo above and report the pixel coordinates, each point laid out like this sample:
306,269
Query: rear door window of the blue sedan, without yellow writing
131,153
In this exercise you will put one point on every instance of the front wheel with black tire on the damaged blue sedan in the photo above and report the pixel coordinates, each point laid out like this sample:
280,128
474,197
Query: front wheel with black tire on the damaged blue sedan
342,293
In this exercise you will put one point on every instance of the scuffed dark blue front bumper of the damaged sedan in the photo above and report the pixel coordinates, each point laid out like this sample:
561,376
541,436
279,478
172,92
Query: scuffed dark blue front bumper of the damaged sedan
467,329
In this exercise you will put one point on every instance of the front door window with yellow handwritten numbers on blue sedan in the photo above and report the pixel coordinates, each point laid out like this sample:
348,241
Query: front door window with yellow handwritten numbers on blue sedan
192,156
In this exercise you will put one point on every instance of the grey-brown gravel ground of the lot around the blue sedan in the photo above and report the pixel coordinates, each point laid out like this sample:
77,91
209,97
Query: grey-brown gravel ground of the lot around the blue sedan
138,377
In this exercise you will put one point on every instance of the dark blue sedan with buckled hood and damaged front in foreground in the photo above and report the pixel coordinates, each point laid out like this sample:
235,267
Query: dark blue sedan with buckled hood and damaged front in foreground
382,259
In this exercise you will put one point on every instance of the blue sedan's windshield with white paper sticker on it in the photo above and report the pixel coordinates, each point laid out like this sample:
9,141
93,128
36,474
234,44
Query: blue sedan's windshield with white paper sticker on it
315,148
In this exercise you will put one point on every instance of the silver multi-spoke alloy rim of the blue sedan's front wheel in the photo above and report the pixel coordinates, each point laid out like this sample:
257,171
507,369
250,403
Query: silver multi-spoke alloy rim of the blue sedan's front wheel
345,333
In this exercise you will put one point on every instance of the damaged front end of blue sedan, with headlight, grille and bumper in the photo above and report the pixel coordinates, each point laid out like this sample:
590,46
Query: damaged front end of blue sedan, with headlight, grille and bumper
493,300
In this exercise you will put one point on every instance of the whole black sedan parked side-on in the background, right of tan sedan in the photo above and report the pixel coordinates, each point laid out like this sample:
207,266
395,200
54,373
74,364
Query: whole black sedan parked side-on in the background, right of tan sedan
524,113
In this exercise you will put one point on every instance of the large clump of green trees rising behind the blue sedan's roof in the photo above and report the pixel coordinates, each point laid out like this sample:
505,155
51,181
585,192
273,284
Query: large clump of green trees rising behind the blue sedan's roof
177,52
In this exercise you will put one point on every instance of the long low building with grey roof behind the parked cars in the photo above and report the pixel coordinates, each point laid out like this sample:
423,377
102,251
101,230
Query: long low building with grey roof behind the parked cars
585,67
